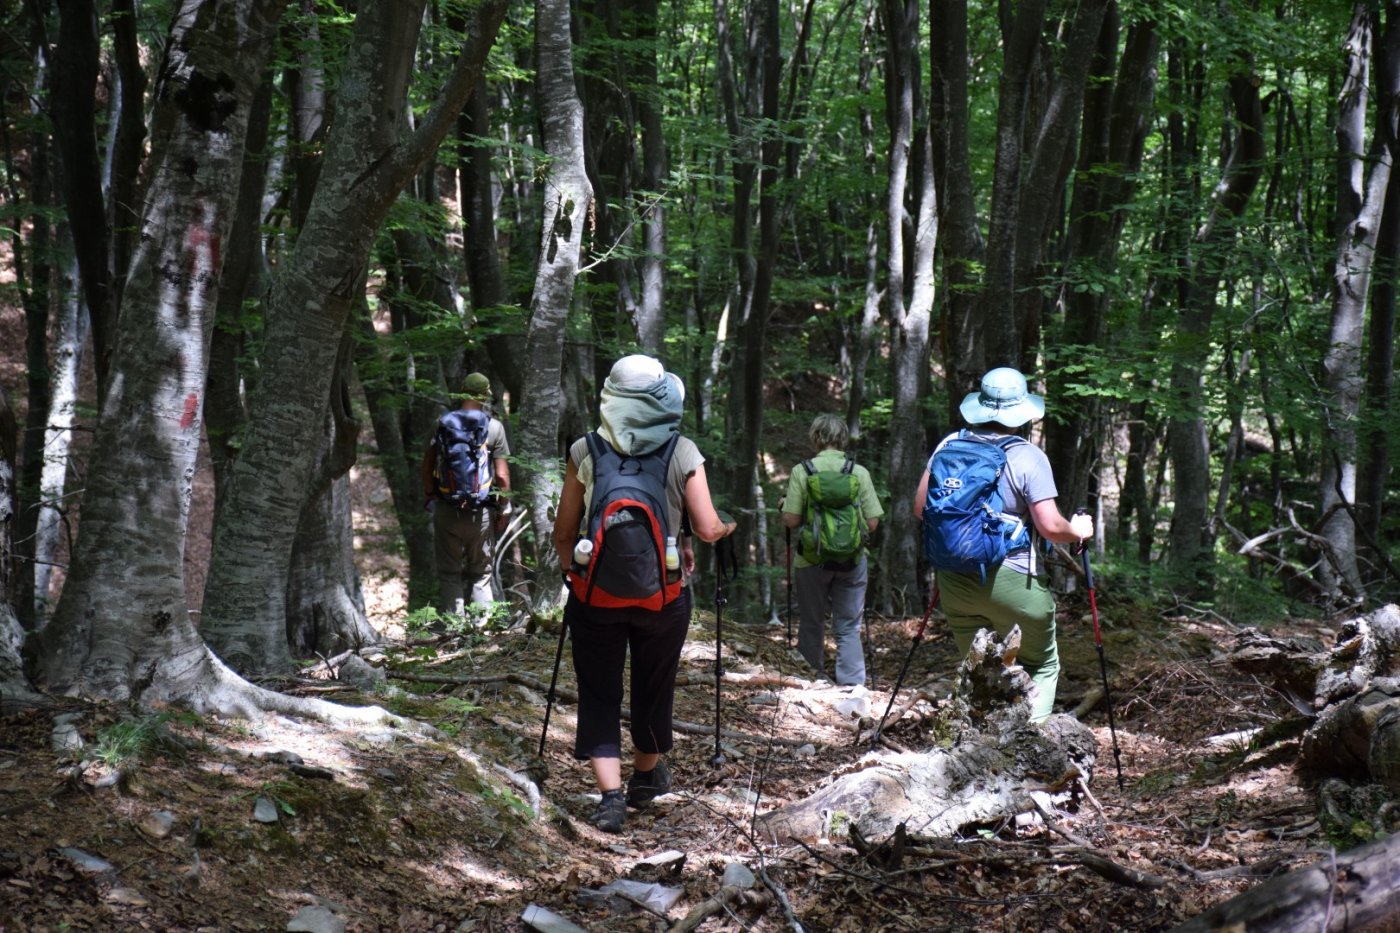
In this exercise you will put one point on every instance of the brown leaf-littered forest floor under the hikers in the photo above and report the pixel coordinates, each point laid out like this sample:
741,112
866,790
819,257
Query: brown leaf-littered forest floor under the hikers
381,831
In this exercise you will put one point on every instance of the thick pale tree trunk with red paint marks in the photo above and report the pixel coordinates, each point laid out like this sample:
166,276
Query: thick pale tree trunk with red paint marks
122,630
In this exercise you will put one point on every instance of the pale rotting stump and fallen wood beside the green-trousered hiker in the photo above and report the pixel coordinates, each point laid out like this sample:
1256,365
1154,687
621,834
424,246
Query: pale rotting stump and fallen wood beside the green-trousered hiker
989,773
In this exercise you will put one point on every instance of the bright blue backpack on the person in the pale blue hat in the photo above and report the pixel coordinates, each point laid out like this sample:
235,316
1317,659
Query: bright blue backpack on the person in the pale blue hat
965,527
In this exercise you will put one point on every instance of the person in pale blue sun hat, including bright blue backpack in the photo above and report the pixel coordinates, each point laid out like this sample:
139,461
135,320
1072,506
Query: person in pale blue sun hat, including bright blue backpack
1011,590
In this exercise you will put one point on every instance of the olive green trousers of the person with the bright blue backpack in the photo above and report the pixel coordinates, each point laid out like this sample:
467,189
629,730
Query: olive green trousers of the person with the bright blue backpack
1007,599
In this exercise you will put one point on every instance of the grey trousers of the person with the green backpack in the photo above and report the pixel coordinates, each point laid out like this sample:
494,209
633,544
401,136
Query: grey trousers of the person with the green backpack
843,592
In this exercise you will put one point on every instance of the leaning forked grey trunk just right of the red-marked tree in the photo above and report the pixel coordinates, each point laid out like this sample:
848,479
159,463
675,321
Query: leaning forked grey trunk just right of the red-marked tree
367,163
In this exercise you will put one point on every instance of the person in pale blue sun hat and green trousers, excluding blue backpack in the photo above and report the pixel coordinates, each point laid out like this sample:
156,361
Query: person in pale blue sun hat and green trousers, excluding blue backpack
1014,592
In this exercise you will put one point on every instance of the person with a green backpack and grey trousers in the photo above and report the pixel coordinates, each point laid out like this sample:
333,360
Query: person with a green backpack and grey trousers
832,499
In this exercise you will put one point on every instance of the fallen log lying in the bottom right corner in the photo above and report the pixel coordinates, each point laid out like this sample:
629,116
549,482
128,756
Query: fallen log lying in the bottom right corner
1357,890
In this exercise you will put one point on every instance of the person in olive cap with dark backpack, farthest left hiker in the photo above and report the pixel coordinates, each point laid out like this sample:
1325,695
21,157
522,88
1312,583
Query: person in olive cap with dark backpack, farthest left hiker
465,483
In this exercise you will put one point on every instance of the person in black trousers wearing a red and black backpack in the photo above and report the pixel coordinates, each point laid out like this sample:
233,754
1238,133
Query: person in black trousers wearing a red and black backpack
628,579
